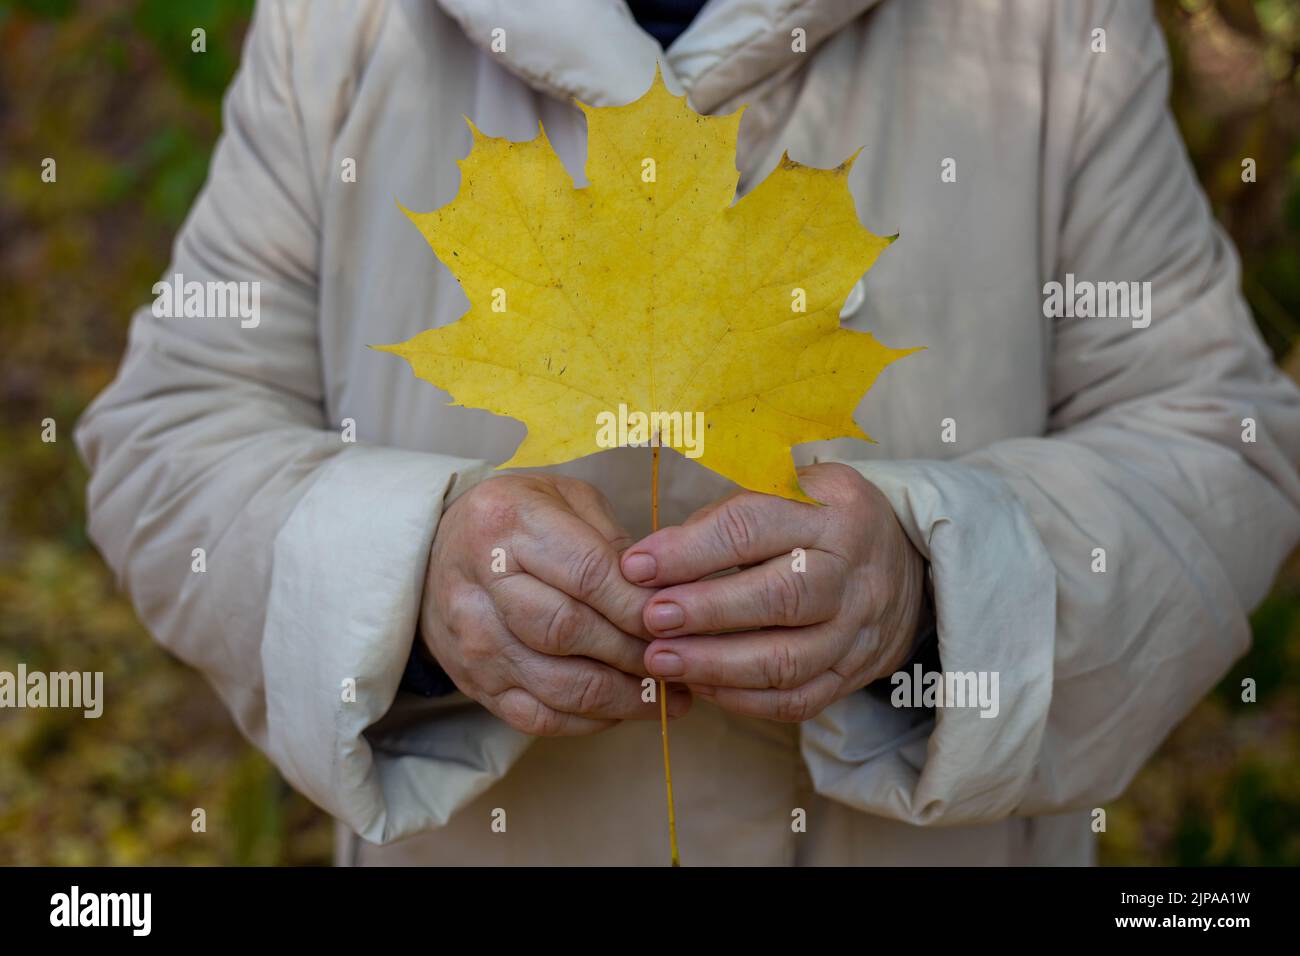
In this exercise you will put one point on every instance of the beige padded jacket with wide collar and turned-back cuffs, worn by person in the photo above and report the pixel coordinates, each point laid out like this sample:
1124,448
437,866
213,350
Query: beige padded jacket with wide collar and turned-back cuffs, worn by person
1072,434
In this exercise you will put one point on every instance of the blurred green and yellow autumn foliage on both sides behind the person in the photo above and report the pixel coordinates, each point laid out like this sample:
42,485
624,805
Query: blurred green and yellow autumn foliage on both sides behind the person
112,92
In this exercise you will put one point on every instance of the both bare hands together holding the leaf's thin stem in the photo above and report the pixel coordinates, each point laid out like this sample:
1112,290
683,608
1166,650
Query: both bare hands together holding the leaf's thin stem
561,641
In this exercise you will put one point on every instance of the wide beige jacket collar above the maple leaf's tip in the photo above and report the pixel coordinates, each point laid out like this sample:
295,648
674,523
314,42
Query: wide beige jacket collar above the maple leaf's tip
595,51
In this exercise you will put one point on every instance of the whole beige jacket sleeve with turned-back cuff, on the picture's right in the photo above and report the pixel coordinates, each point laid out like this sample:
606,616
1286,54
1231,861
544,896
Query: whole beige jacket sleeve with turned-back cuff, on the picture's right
1173,448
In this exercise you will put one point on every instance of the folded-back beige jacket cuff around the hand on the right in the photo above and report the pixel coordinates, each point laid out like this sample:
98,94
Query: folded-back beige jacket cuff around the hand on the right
995,604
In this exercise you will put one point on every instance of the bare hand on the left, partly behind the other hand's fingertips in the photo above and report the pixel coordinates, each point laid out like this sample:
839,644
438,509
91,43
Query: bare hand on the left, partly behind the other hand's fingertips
554,644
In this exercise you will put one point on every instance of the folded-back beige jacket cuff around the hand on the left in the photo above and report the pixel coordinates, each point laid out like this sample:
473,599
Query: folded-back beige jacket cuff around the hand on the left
348,579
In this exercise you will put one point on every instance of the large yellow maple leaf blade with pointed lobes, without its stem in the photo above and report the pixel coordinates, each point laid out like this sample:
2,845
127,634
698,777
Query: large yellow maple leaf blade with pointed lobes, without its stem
652,291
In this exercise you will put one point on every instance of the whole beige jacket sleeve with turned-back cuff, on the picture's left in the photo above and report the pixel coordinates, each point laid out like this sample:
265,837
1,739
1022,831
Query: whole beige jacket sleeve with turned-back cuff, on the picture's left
214,436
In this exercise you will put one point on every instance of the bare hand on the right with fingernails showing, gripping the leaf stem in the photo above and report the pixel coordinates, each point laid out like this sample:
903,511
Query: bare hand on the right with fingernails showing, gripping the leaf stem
799,641
